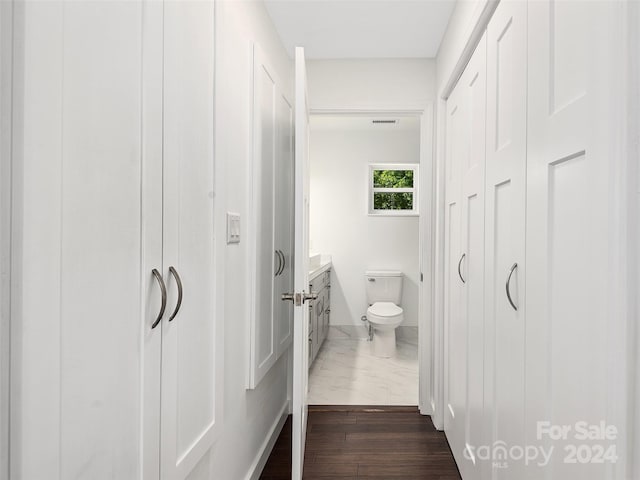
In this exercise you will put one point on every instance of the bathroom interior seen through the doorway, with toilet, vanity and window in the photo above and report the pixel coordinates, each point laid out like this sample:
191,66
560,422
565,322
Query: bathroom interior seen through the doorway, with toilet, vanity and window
364,259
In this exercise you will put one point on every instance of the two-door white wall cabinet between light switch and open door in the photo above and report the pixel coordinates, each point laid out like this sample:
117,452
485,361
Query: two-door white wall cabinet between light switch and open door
271,217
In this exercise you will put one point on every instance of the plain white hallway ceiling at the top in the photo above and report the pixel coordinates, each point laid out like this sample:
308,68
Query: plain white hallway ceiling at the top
361,28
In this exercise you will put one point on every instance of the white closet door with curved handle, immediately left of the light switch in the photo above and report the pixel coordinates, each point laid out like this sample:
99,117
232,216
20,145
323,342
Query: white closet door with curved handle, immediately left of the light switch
189,400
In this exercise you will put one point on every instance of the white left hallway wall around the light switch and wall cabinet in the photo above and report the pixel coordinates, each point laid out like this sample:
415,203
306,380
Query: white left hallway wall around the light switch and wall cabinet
248,414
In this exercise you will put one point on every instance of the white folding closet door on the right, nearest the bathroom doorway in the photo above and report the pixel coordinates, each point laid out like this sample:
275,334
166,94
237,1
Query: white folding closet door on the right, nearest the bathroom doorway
466,142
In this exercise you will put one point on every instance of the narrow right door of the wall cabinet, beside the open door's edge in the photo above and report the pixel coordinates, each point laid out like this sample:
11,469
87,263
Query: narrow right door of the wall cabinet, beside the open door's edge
283,311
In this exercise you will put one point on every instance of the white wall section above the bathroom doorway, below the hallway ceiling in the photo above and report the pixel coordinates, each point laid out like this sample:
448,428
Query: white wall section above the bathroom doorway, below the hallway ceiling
377,83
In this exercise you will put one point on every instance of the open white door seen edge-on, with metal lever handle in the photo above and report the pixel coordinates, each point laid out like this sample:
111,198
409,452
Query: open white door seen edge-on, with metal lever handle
301,269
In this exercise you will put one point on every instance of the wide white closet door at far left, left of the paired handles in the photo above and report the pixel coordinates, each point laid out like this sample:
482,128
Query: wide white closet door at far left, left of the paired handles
81,348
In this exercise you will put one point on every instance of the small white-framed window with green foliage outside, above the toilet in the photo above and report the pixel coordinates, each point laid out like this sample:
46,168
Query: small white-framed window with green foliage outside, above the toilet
393,189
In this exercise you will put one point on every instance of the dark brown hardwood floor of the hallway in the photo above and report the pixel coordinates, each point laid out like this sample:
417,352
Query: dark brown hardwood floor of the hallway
354,442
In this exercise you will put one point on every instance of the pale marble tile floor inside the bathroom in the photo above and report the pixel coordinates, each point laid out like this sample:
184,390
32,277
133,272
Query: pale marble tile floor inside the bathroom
346,372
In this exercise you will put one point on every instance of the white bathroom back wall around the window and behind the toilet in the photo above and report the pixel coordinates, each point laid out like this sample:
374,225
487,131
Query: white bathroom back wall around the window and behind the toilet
339,220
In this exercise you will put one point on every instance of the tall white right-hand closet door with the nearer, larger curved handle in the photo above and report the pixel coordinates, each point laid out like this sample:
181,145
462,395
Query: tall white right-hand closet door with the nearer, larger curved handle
505,232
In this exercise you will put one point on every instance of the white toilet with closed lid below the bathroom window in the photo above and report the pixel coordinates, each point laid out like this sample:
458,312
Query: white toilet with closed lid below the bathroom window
384,292
